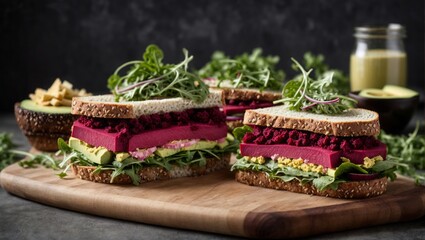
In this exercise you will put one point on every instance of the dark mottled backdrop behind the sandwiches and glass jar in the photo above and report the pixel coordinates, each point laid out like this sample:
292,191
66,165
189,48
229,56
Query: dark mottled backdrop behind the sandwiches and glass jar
84,41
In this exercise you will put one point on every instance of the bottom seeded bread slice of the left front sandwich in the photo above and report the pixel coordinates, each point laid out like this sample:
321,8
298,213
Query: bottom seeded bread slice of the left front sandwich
149,174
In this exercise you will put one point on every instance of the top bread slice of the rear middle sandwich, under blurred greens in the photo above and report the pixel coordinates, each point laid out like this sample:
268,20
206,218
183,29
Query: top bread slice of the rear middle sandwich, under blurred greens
246,94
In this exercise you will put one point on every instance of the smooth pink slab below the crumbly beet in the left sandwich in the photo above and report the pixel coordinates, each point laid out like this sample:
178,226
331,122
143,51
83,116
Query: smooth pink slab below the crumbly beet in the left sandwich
119,143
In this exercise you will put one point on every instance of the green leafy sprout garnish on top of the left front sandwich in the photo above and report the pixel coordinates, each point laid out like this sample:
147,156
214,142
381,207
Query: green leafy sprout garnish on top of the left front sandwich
150,78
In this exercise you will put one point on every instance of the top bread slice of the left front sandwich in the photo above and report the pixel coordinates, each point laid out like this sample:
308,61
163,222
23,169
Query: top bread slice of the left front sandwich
104,106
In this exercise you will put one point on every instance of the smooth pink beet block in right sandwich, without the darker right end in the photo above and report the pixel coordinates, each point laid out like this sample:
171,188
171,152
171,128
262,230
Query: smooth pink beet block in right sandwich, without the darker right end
316,155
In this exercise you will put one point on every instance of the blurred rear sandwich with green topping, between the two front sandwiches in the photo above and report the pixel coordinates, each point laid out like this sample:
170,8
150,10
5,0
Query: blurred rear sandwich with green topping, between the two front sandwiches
248,81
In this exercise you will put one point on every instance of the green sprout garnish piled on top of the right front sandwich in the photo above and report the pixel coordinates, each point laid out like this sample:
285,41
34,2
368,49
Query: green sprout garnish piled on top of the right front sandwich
318,96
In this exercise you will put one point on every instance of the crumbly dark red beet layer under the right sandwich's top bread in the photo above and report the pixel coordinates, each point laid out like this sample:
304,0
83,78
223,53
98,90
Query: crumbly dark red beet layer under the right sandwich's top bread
269,135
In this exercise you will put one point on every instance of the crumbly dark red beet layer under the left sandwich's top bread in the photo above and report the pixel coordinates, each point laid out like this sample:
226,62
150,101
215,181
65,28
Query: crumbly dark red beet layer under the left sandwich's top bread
128,127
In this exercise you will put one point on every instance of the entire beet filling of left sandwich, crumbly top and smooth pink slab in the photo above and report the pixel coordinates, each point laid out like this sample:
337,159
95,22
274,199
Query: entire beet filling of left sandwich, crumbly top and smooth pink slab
121,135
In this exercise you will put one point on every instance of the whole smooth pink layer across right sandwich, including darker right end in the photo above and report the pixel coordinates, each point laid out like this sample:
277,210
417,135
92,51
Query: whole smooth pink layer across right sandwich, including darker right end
316,155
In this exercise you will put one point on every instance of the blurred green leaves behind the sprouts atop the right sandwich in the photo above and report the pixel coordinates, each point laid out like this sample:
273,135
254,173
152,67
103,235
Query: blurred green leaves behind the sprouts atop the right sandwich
340,81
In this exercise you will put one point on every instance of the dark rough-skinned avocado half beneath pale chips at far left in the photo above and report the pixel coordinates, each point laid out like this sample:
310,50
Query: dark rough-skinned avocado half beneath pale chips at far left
44,125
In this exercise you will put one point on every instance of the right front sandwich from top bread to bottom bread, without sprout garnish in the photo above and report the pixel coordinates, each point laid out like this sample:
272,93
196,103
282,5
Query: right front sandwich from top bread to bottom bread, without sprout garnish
328,155
